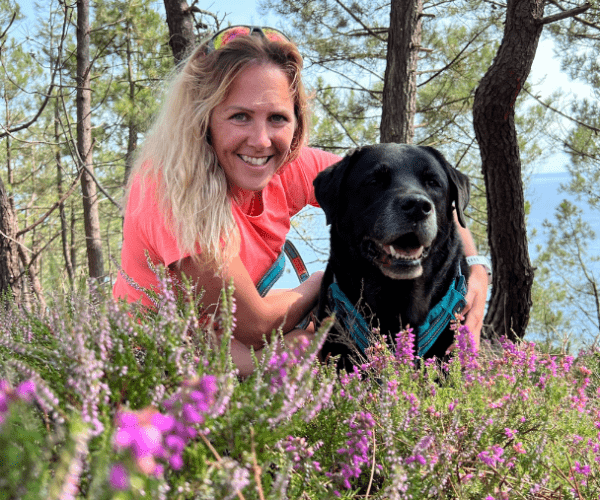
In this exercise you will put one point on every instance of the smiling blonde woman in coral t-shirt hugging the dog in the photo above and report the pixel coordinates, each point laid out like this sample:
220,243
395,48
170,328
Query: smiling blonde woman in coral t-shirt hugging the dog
218,177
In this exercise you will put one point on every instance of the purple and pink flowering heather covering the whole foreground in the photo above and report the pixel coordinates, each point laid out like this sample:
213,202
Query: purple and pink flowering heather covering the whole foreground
102,400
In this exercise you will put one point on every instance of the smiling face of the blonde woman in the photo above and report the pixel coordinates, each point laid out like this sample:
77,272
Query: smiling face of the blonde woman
252,129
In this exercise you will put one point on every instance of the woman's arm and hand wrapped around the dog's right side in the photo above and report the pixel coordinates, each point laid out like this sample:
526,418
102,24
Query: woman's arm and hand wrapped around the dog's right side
477,287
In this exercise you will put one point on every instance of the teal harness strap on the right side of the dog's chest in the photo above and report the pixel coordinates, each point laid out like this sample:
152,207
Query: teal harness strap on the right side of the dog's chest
440,316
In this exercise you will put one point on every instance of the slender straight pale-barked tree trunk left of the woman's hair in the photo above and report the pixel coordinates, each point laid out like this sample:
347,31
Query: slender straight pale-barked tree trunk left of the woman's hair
84,143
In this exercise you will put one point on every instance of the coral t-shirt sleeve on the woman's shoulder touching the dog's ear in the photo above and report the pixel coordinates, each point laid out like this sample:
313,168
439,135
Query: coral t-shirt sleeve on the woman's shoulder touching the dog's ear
298,177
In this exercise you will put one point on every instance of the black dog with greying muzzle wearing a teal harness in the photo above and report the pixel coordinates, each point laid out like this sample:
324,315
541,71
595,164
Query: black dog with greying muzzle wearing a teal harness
395,250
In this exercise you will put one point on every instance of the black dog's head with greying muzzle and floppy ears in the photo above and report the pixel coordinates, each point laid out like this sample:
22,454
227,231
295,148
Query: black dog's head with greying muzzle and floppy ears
393,202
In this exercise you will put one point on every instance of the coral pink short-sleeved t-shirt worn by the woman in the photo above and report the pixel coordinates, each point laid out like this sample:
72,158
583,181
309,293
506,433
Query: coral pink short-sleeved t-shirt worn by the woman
262,235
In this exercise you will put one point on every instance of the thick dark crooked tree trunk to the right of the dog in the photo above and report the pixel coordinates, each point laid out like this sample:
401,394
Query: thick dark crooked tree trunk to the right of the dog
494,123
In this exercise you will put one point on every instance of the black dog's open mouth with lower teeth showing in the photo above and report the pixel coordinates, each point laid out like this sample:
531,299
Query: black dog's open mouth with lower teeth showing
398,259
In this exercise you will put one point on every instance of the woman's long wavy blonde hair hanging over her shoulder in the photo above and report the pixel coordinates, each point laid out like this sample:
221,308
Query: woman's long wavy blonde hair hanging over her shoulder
192,188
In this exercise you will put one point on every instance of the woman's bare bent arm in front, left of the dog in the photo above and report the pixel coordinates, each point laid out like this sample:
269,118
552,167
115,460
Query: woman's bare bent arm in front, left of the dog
256,316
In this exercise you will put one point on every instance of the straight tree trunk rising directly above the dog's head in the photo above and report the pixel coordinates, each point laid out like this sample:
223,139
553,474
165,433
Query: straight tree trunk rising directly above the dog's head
400,82
